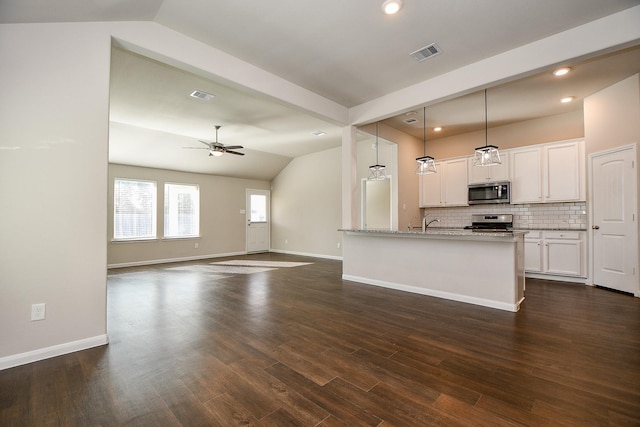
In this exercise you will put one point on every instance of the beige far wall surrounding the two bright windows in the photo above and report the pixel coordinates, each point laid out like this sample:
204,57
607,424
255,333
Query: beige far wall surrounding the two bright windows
222,226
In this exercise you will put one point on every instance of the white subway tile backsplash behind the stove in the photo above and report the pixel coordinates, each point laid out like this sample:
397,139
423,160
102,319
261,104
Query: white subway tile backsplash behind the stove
532,216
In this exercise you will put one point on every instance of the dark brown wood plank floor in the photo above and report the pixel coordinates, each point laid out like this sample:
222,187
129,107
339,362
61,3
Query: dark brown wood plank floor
300,347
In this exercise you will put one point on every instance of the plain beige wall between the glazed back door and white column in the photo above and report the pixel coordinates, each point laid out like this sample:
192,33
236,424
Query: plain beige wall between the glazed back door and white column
306,206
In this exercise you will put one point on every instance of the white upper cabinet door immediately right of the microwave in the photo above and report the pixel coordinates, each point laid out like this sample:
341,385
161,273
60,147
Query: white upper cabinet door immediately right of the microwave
526,174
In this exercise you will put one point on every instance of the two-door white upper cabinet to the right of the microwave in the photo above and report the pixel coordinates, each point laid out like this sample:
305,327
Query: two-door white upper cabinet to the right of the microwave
548,173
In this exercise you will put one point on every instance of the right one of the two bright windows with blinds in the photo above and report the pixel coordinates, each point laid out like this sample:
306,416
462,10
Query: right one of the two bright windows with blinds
181,210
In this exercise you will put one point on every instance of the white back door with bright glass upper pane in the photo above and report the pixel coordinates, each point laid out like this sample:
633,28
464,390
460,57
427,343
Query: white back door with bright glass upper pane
258,208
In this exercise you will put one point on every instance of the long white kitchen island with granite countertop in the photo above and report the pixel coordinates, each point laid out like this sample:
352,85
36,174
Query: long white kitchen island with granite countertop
482,268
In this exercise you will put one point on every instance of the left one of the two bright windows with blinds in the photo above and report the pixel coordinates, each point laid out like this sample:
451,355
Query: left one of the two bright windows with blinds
134,209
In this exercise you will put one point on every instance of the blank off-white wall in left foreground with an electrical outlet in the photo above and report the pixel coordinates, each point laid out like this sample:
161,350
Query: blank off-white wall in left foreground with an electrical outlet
54,82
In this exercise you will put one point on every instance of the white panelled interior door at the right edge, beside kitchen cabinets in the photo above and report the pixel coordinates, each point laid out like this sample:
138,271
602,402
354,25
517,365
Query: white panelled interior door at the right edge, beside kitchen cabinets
614,224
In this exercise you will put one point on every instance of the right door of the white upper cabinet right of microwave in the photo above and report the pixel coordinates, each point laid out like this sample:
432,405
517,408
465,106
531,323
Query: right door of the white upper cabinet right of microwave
564,172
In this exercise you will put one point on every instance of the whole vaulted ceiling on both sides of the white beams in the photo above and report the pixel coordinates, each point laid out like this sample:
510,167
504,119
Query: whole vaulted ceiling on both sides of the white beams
345,51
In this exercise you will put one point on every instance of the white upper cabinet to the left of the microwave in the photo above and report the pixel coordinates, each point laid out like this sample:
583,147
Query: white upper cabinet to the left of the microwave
447,187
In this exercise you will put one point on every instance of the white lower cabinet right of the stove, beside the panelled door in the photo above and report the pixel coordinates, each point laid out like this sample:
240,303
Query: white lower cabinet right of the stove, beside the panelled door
555,253
